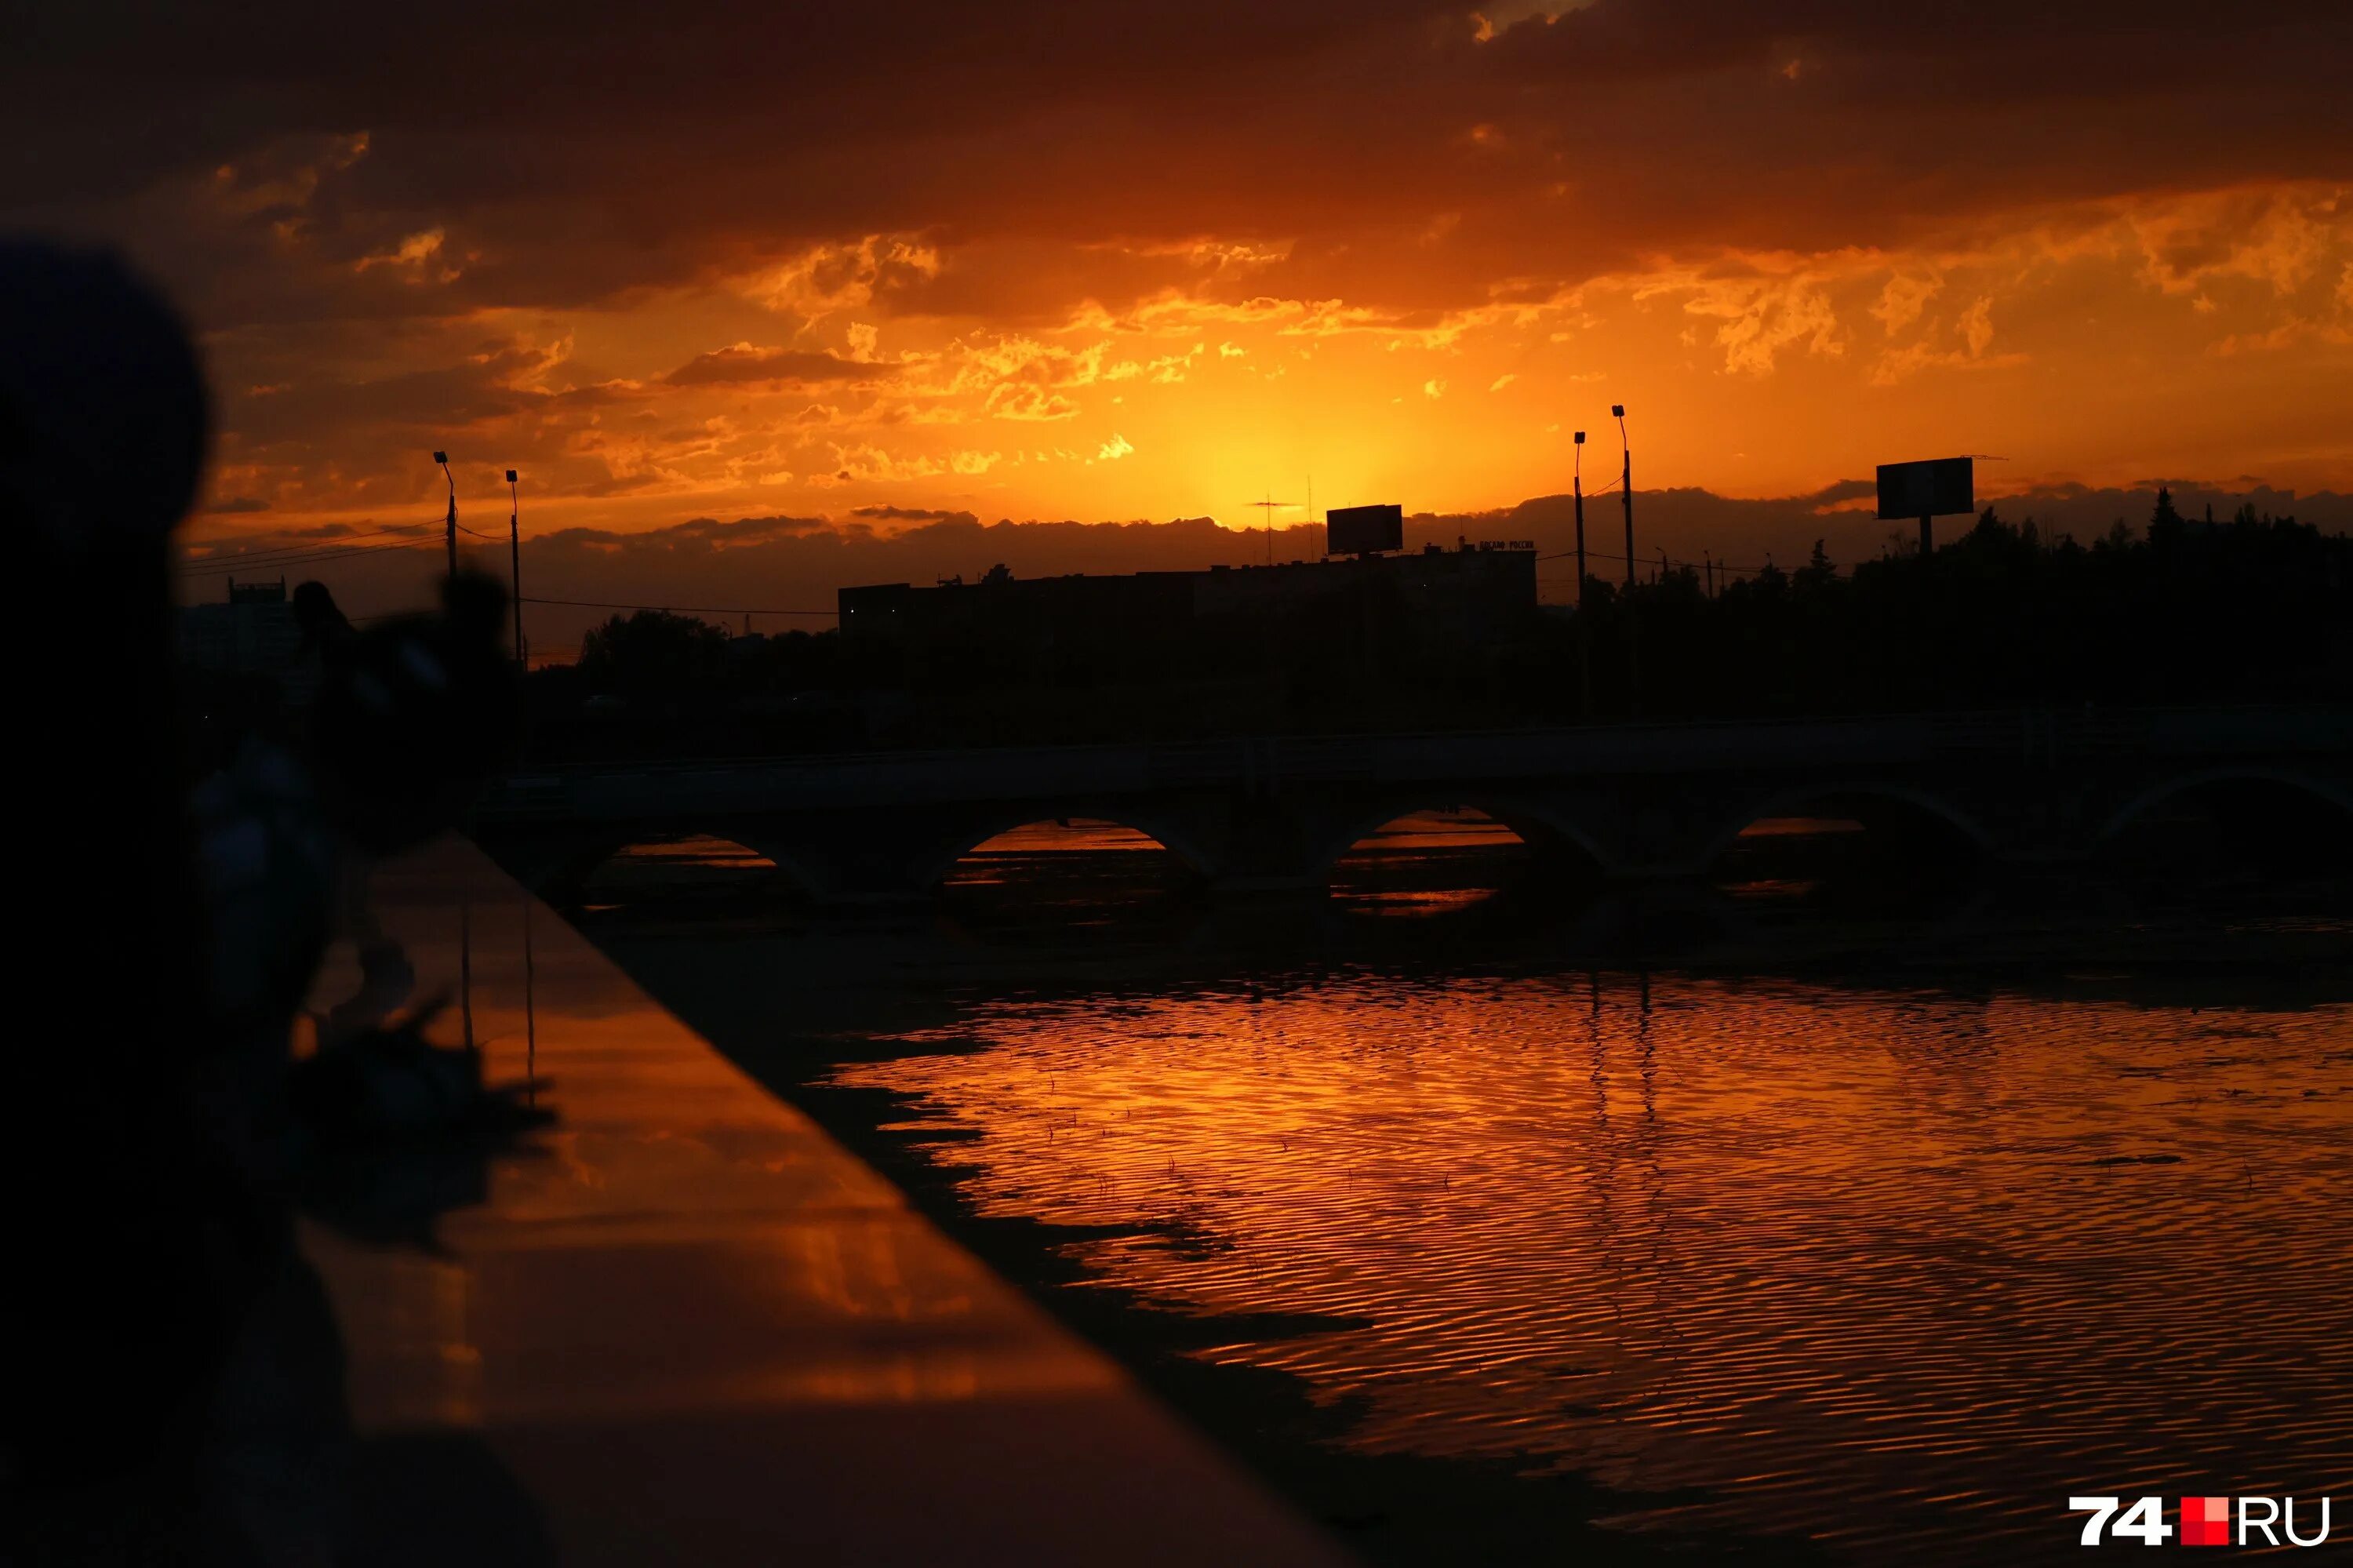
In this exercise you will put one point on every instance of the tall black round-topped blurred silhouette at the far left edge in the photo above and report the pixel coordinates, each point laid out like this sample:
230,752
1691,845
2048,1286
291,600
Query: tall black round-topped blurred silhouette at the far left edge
114,1313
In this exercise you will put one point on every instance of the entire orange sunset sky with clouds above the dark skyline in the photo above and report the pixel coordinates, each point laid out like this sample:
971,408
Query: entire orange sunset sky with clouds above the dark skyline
1041,260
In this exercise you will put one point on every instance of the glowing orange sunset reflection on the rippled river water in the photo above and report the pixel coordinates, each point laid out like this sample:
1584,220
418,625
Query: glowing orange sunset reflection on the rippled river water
1891,1270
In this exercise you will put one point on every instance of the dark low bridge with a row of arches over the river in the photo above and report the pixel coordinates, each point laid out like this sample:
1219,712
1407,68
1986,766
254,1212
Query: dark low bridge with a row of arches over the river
1274,813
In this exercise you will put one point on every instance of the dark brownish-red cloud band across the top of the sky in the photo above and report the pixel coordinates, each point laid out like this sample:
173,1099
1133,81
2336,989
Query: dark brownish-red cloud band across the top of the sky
578,154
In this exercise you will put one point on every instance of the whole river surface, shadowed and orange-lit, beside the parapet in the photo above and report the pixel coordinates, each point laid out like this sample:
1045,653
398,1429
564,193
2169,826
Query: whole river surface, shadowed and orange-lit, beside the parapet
1872,1258
